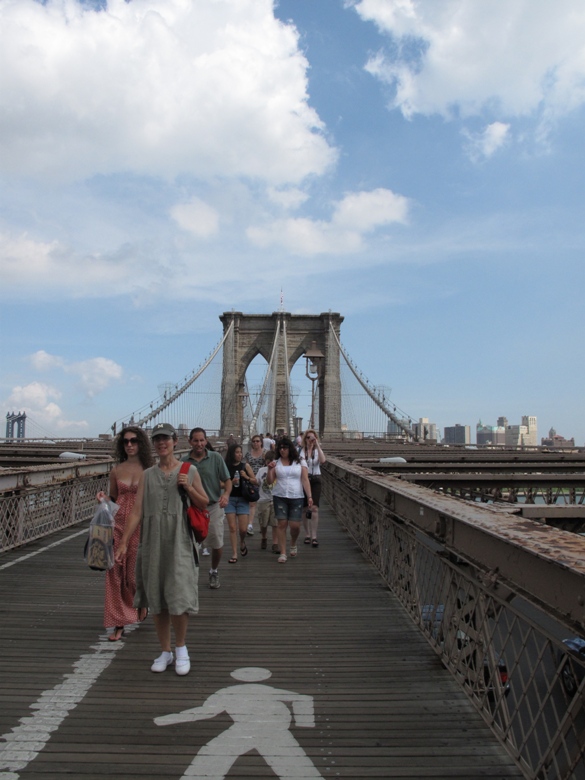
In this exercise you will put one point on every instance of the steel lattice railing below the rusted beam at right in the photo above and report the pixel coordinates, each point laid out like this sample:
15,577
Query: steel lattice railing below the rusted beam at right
504,651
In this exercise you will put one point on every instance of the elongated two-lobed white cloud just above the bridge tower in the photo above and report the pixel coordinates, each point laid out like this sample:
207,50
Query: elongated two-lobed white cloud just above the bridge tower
358,213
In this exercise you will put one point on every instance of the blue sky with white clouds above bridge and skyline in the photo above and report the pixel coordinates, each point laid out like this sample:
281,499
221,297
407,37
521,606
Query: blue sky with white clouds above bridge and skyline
416,166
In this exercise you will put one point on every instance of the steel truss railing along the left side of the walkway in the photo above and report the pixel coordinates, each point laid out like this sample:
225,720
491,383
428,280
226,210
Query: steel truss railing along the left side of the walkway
31,511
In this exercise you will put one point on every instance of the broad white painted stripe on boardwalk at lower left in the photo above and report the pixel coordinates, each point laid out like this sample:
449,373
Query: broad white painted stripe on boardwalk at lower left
23,744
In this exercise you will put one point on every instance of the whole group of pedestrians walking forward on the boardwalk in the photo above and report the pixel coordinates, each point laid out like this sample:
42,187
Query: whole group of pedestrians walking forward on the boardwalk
156,558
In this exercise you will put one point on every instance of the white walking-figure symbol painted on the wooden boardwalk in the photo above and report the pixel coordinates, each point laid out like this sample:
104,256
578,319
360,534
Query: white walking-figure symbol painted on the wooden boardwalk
261,722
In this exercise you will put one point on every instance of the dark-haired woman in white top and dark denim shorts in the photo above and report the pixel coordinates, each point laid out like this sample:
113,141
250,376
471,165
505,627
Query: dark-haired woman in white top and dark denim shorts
292,483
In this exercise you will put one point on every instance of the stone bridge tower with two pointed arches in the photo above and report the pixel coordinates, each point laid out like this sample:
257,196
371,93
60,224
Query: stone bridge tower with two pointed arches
254,334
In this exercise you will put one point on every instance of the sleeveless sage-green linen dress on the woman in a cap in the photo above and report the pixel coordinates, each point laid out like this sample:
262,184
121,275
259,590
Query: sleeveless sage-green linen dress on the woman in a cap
166,570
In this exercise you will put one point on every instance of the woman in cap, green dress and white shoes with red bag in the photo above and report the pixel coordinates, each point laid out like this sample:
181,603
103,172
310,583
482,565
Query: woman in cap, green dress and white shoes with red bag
166,565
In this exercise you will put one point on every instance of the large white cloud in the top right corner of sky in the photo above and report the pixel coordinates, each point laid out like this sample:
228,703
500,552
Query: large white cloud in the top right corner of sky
516,57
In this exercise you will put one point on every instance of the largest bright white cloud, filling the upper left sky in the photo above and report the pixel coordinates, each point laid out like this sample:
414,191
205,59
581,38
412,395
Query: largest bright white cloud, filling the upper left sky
157,87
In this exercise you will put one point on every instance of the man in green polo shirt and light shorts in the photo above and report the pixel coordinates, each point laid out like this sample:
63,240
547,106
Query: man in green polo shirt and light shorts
215,477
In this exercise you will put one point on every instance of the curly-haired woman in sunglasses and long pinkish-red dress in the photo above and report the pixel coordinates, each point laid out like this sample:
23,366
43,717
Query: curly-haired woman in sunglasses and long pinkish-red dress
134,454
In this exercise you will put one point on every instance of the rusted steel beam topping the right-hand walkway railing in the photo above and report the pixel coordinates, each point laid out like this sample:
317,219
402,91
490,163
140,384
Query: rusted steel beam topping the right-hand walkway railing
543,564
